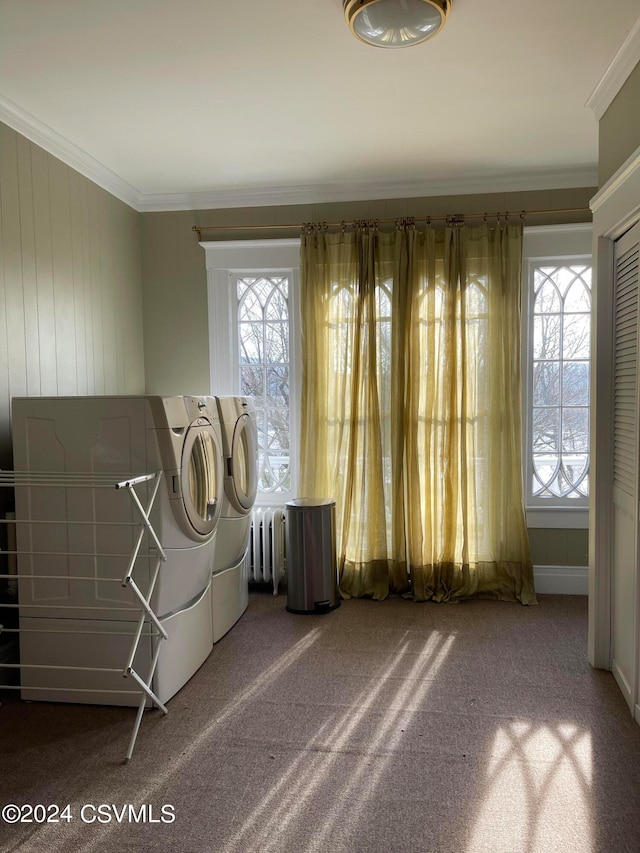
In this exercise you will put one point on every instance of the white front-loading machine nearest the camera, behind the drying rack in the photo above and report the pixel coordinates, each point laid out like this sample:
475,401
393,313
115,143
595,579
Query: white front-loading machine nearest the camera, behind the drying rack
120,436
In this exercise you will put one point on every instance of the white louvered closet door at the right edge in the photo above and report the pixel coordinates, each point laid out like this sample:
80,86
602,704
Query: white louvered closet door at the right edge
626,425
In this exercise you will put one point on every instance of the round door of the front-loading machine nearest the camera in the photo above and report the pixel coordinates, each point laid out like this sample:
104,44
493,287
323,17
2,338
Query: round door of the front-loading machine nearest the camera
202,478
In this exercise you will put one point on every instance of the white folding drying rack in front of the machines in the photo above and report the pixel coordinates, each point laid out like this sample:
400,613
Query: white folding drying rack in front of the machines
12,479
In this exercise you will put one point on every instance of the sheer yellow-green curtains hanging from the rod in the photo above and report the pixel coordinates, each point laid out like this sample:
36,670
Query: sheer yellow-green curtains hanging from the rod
411,414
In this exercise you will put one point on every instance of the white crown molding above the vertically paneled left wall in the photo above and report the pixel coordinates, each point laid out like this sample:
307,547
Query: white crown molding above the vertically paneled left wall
52,142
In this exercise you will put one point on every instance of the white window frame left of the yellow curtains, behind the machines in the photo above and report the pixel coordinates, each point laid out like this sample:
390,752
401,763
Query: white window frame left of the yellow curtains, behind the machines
225,259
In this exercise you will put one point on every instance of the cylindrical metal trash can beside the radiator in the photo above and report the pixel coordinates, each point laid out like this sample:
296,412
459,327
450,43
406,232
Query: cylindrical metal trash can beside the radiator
312,570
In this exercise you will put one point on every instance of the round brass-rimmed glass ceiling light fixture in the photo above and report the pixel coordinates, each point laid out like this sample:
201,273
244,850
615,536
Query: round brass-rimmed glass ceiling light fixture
396,23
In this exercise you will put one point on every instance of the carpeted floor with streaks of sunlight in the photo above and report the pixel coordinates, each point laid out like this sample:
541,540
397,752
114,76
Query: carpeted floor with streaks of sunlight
388,727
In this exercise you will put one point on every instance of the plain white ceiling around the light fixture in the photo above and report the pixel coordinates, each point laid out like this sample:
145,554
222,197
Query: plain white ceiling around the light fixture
204,103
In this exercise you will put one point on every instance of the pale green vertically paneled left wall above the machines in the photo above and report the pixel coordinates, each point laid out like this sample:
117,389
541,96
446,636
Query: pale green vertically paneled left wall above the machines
70,283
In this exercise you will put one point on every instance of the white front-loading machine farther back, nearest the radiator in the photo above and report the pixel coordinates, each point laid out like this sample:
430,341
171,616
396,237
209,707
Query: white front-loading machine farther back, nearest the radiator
230,577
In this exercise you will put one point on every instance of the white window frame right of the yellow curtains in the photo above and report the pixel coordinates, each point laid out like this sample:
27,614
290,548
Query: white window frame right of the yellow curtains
562,244
